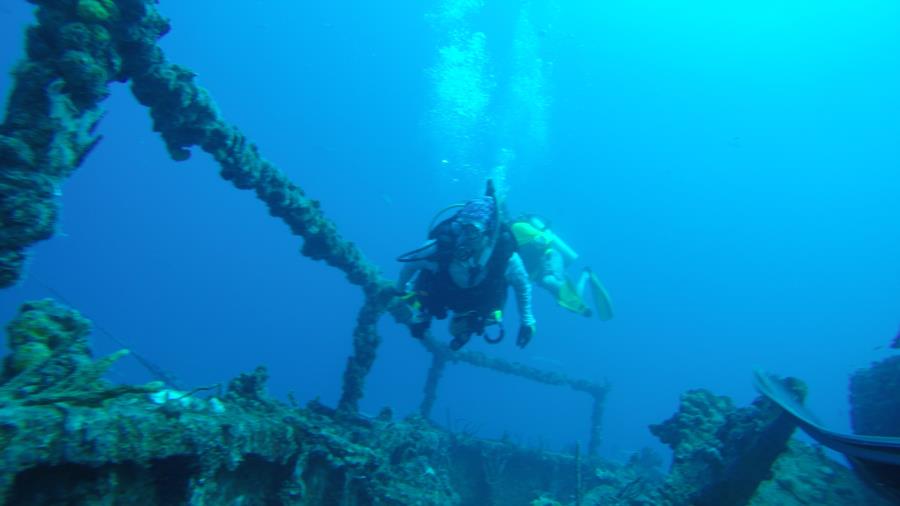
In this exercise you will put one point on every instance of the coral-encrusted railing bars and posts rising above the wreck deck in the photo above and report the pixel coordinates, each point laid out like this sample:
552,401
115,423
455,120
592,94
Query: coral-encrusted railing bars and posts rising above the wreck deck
75,52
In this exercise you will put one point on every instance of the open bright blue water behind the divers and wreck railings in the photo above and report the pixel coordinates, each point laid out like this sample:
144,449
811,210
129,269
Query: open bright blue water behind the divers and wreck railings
732,174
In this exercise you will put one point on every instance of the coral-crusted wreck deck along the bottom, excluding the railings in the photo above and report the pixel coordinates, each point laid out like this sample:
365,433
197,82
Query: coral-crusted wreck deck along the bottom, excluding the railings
68,435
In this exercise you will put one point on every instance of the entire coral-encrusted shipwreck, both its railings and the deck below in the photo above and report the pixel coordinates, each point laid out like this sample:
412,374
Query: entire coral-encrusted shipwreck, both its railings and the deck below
68,435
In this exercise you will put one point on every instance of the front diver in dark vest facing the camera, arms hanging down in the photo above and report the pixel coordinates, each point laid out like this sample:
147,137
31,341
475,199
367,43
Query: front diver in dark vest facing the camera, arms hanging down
466,267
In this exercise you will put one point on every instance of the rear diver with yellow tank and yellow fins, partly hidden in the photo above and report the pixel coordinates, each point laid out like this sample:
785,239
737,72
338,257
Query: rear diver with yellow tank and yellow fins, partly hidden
546,258
